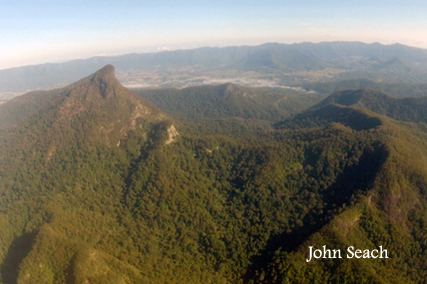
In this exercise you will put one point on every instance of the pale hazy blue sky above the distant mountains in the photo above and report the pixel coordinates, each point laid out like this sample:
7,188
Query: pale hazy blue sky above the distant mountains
53,30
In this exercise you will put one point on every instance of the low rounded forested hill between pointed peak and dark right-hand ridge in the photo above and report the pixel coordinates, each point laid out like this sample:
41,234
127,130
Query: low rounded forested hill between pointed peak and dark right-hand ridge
229,101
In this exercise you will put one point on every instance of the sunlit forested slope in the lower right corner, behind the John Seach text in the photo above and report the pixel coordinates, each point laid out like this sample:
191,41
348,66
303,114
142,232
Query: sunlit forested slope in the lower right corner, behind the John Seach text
392,214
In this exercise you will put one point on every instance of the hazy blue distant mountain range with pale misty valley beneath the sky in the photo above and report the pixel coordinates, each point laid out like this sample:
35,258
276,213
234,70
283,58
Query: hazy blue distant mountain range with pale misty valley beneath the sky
269,64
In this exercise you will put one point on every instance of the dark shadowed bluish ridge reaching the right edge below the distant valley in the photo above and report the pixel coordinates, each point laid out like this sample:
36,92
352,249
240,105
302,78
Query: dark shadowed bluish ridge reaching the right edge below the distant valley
354,108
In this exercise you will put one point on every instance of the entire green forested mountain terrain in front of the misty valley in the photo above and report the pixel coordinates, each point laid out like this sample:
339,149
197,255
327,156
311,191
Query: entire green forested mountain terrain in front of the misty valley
99,186
